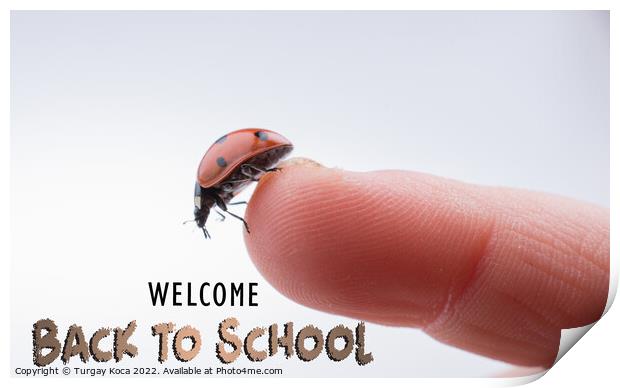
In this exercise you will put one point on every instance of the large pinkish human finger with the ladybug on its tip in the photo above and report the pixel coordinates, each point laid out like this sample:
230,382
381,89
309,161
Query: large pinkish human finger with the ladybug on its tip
495,271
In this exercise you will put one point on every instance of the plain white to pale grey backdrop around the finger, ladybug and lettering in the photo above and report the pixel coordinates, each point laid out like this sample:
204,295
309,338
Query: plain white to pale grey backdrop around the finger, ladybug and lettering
112,112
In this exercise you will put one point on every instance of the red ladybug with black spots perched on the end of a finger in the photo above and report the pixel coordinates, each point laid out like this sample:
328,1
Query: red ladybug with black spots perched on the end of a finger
233,162
